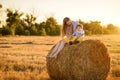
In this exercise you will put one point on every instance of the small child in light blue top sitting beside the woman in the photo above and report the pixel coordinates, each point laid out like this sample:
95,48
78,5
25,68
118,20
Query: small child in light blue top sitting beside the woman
78,35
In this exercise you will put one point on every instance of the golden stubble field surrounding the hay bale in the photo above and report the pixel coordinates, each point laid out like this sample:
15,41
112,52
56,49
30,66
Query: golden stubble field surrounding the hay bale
23,57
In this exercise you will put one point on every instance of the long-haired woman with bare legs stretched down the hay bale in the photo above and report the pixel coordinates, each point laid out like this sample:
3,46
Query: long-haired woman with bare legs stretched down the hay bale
69,27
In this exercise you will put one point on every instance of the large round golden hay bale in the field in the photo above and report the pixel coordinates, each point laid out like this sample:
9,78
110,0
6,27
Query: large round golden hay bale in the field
88,60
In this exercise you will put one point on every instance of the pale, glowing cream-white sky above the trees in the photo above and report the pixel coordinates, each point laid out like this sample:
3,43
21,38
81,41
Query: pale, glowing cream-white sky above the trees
106,11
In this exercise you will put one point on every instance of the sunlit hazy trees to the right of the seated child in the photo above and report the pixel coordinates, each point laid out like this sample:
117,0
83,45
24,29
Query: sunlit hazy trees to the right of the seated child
95,27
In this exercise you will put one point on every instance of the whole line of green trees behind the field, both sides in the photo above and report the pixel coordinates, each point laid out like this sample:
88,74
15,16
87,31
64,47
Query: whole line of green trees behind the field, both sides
16,25
